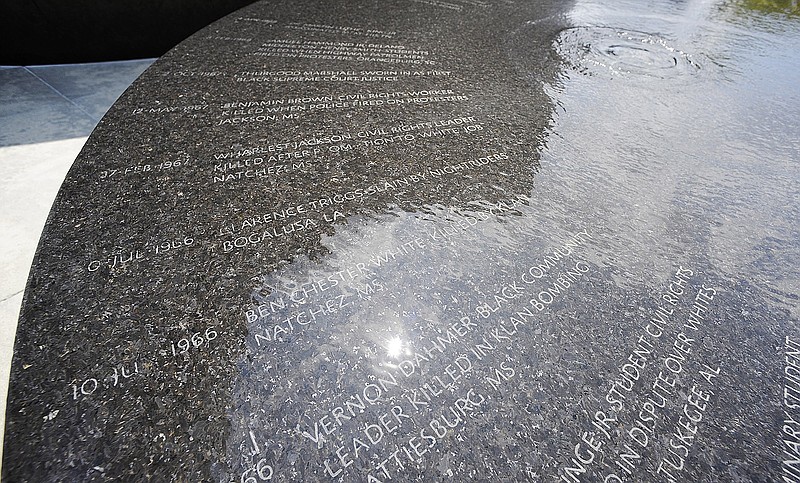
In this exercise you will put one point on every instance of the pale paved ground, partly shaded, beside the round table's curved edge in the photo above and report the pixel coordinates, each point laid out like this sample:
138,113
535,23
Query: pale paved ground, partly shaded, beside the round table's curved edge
46,114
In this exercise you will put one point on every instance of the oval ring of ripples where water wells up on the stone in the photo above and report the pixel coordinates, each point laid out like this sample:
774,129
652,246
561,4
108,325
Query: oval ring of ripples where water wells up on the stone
619,52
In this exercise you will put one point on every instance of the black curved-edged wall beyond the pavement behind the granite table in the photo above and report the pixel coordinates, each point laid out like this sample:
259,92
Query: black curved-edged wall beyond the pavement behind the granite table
57,31
